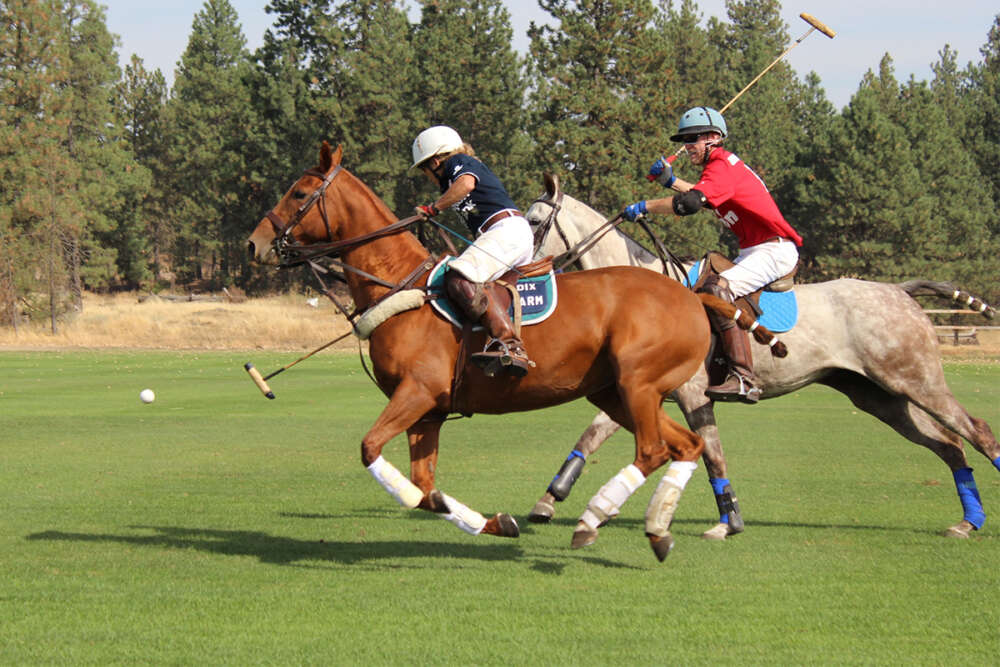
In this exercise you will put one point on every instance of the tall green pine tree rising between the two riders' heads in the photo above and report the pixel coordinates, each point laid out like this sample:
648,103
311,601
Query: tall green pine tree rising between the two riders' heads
590,115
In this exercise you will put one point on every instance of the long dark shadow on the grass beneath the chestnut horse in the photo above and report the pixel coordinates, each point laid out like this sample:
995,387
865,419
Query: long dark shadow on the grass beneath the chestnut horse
277,550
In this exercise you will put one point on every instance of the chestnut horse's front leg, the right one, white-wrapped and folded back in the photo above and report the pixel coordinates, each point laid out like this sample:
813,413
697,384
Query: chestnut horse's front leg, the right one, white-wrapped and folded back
424,437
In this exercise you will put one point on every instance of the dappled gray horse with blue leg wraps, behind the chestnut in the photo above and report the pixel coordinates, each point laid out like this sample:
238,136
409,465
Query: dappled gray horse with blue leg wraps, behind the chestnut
868,340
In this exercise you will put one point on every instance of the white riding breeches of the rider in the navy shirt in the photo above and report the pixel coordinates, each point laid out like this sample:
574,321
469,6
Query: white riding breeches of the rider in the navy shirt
506,244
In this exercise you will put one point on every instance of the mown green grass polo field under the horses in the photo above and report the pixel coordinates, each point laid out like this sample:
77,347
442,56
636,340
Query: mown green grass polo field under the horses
216,527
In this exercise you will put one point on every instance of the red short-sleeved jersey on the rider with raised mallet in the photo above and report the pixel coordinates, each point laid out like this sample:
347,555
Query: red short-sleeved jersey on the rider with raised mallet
741,201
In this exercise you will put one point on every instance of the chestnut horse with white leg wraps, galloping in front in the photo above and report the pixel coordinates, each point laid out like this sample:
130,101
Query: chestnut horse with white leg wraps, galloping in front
623,337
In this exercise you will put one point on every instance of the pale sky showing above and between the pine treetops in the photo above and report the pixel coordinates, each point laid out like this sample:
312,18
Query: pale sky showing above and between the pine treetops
911,31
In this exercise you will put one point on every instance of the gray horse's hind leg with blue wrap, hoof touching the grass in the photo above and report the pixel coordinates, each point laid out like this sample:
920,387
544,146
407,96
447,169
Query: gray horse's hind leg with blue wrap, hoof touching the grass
919,426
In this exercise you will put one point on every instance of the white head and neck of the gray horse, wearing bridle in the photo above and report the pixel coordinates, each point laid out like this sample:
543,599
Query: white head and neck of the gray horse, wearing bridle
562,223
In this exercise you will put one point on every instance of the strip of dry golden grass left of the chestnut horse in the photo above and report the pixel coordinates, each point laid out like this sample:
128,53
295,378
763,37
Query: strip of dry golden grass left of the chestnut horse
285,322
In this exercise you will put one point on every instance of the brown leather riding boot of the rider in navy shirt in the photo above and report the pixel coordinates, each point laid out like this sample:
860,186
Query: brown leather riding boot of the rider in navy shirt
481,305
